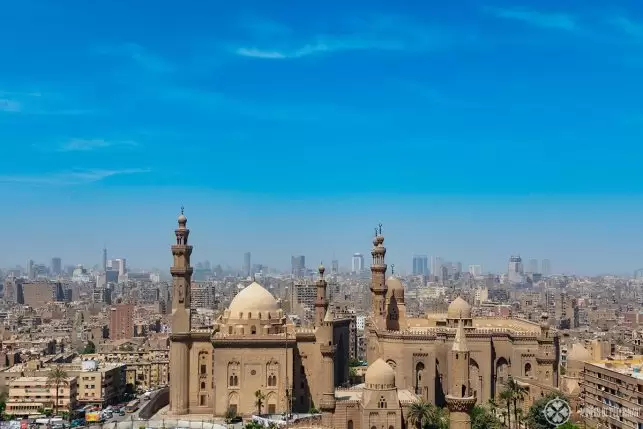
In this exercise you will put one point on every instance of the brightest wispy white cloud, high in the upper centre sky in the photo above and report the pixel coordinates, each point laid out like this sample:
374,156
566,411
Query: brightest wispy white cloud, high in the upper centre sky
376,34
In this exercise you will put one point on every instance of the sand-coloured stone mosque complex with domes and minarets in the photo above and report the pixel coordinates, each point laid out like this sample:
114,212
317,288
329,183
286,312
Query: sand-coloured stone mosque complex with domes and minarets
452,359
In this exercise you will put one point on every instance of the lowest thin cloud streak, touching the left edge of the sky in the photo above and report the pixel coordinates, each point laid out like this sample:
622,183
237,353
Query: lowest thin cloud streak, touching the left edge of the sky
74,177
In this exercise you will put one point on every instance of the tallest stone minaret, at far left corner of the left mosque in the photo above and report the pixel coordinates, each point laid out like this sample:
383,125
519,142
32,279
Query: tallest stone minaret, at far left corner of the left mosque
181,324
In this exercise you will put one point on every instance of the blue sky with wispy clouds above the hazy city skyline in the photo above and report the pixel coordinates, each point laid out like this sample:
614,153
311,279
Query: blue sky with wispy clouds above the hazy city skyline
473,130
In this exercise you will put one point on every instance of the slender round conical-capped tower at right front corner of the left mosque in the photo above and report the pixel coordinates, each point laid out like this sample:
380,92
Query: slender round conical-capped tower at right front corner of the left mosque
327,349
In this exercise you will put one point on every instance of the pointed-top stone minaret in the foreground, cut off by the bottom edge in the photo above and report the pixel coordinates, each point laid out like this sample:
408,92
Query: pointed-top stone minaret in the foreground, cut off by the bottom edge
460,402
